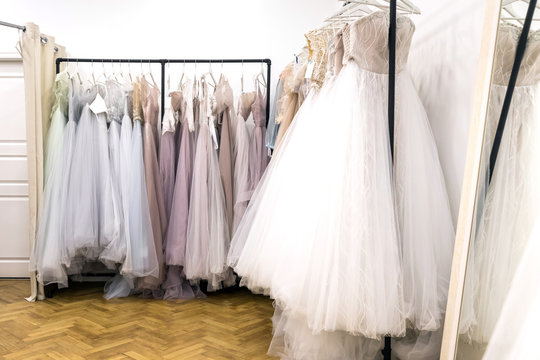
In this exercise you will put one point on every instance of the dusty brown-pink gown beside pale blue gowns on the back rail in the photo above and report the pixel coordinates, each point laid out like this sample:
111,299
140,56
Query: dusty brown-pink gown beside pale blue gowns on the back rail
154,187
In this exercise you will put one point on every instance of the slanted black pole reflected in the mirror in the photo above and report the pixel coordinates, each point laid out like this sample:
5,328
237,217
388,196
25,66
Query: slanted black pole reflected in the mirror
520,51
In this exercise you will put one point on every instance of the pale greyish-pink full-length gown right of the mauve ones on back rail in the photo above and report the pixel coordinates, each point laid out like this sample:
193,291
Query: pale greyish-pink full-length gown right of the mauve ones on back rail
208,233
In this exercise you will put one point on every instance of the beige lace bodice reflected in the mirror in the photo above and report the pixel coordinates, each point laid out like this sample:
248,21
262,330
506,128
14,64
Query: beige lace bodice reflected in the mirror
505,52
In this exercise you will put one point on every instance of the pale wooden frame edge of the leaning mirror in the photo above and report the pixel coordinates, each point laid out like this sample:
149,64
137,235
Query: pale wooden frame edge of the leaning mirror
470,179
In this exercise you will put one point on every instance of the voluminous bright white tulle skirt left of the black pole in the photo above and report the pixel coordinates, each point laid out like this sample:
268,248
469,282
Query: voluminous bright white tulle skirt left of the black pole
320,231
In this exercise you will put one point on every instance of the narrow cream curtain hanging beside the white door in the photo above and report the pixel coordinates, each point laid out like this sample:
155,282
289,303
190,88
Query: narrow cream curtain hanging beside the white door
39,73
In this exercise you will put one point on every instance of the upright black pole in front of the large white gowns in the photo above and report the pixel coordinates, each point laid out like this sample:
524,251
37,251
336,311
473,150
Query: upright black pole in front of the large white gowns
391,73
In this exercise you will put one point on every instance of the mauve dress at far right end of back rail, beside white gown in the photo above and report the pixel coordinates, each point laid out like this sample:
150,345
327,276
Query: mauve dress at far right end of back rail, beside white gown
258,156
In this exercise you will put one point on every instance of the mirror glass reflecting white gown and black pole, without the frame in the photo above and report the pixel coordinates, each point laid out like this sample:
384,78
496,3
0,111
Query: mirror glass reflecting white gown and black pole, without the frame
508,193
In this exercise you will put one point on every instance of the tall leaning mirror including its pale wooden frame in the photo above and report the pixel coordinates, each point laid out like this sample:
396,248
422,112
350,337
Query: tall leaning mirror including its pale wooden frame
501,198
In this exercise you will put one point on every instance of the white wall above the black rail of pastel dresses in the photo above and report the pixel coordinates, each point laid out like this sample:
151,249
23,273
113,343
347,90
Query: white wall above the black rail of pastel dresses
176,29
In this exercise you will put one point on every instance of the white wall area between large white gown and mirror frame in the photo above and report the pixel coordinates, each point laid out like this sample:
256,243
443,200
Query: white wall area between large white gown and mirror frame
443,62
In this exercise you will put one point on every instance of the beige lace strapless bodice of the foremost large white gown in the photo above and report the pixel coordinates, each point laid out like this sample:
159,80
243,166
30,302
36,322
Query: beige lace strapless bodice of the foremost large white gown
366,42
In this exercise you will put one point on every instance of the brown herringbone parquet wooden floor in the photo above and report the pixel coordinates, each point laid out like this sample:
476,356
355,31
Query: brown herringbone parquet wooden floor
78,323
